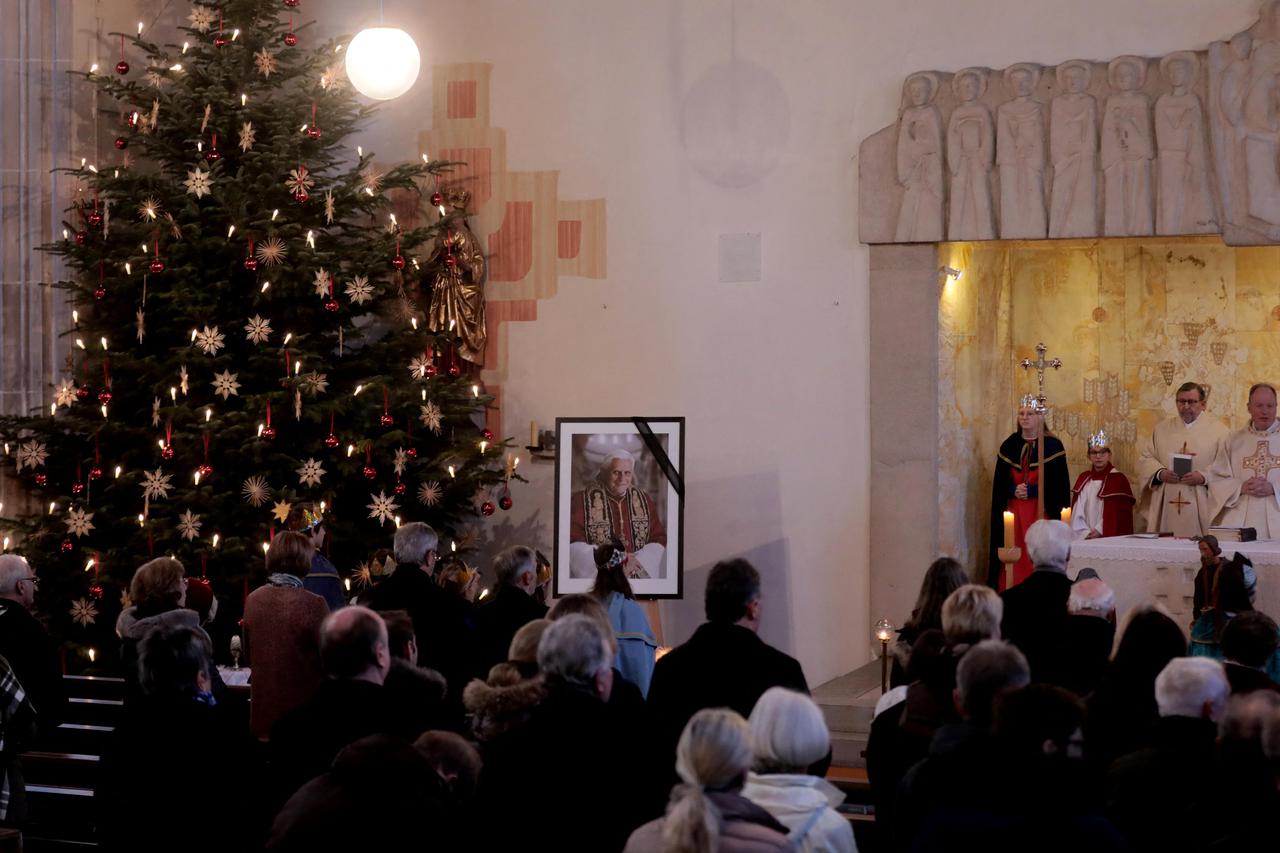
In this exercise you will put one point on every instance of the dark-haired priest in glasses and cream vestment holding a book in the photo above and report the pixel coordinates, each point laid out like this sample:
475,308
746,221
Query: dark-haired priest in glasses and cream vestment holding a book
1185,507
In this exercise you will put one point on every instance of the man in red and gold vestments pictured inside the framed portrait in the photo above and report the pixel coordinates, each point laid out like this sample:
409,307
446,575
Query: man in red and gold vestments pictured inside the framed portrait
611,507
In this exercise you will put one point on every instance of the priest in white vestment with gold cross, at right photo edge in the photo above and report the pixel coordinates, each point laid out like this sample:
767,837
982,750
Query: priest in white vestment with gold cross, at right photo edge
1250,496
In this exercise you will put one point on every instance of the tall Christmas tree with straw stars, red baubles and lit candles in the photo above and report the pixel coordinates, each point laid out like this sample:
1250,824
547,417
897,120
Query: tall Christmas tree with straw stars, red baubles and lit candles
250,330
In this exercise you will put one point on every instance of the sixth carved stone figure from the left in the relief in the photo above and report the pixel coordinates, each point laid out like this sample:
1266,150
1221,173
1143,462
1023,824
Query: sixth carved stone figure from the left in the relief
1185,199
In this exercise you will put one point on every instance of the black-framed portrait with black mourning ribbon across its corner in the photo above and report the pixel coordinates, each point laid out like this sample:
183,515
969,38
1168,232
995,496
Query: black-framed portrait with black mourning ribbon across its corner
620,496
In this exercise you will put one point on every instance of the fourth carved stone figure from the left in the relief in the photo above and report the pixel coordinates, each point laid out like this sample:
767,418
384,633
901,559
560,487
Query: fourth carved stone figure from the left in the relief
1075,149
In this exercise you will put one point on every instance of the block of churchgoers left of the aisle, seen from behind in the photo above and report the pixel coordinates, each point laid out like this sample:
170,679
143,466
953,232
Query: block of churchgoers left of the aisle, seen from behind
415,718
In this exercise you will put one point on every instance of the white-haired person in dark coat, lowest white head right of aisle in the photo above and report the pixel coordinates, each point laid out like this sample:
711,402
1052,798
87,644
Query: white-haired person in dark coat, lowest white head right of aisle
1173,774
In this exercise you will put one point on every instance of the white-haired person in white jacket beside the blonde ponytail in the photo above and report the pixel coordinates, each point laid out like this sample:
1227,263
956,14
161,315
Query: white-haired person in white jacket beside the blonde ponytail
789,735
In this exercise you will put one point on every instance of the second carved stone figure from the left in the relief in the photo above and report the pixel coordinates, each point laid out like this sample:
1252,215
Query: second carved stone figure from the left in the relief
971,153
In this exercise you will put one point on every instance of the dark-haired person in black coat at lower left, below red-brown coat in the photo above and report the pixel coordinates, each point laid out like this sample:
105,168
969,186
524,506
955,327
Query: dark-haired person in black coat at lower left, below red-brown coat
177,750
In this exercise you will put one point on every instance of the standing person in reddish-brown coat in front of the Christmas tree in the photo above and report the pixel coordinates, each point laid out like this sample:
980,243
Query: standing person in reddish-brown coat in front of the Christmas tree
282,631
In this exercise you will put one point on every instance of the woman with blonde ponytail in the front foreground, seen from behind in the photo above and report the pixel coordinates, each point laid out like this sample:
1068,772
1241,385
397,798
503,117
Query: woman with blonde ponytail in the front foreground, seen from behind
708,814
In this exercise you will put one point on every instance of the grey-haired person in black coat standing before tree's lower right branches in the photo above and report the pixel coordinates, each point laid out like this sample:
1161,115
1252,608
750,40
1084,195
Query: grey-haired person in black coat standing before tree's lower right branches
441,621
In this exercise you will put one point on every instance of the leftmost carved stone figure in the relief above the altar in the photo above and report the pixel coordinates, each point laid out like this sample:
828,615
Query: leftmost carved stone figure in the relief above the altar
920,162
